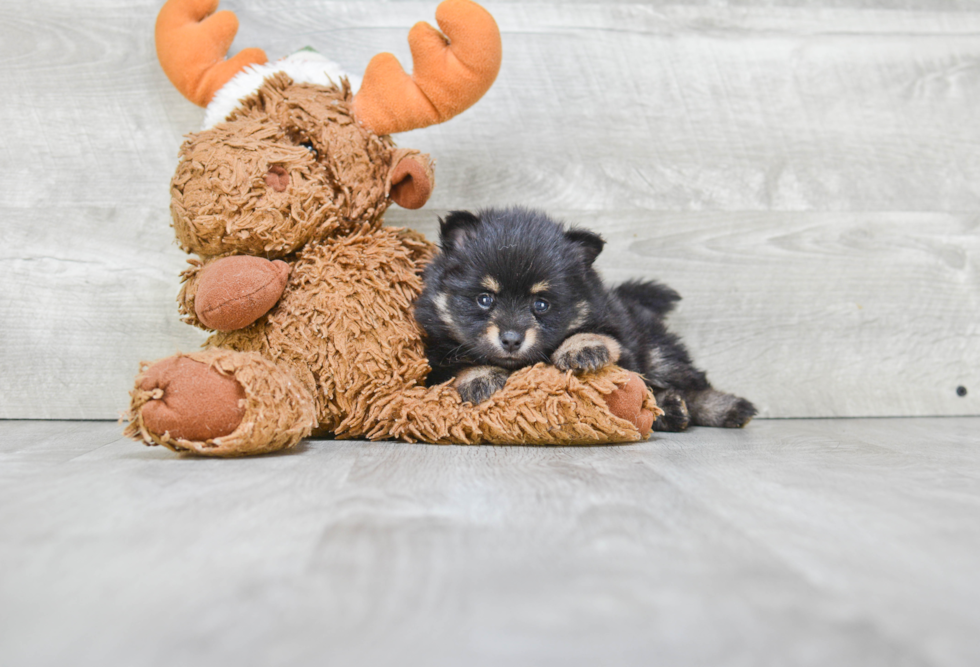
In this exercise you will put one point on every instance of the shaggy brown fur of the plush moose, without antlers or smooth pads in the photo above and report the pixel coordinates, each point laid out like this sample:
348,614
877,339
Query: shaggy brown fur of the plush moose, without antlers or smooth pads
340,351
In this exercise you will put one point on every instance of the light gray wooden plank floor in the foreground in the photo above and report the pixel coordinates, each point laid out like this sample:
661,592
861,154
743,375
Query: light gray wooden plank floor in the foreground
822,542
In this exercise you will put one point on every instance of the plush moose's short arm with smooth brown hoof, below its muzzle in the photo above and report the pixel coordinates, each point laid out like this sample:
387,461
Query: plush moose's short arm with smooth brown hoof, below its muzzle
231,292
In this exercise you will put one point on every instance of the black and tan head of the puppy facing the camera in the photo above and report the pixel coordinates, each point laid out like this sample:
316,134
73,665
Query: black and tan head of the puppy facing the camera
514,283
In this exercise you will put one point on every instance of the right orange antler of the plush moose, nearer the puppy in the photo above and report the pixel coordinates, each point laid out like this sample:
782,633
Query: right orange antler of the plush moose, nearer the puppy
451,72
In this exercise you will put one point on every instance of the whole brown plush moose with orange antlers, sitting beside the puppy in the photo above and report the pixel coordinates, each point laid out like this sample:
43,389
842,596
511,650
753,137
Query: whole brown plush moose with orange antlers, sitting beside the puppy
281,197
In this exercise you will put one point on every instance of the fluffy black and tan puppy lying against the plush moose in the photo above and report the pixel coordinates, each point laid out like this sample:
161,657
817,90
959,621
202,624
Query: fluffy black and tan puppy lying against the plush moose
512,287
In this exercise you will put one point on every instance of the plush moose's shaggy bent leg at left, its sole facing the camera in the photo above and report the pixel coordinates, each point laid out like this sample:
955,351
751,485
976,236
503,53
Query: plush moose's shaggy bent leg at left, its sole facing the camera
219,403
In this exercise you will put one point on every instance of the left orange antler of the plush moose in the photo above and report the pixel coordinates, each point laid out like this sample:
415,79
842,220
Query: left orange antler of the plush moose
191,45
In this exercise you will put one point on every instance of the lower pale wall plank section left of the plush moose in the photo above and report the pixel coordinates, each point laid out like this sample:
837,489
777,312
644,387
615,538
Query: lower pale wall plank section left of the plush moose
88,294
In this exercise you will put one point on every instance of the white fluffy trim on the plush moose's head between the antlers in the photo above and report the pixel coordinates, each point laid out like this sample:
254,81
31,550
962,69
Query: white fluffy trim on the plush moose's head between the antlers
303,67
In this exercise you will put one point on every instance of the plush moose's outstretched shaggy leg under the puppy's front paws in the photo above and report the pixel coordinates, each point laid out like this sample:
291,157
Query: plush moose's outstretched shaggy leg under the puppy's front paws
538,406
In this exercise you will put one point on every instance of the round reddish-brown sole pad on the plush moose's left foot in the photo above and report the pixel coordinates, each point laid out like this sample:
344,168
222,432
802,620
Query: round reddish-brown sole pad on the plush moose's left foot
193,401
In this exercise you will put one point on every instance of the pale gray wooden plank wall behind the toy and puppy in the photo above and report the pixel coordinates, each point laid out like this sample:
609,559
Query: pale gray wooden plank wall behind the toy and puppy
805,172
